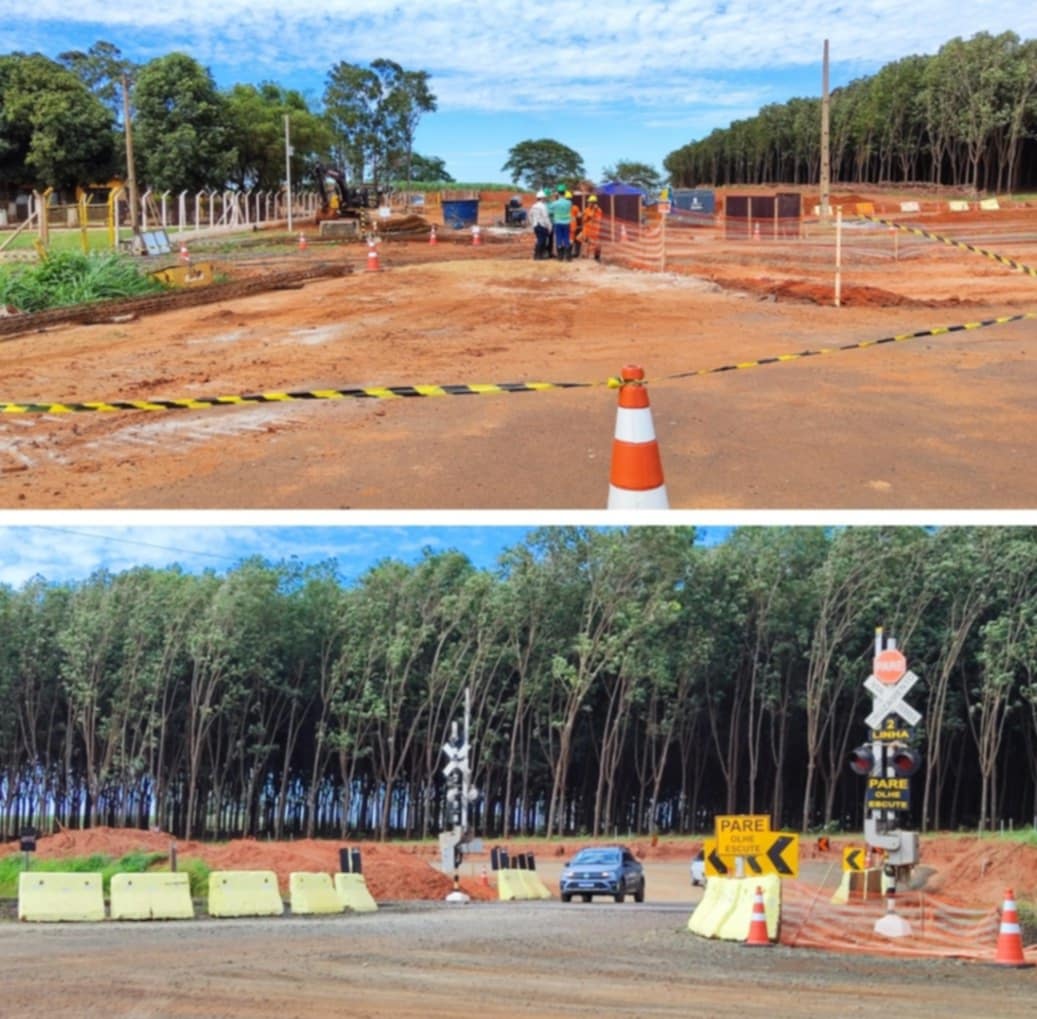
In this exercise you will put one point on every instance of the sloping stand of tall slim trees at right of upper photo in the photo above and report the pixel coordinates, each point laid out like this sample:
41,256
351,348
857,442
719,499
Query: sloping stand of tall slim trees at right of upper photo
965,118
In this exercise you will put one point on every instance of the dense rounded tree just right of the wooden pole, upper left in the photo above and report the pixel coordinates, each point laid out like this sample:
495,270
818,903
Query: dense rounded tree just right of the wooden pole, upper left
182,138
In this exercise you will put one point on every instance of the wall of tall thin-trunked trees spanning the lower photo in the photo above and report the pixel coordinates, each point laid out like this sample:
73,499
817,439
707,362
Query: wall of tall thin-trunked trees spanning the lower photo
622,681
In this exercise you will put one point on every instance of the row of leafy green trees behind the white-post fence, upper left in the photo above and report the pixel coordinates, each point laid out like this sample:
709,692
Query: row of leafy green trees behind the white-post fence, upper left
62,124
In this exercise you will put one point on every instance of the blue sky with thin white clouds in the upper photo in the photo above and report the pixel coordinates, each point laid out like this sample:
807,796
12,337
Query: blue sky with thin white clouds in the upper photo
613,81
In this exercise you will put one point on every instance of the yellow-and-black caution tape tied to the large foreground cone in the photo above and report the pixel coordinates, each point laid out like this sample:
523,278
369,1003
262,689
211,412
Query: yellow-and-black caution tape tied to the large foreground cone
404,392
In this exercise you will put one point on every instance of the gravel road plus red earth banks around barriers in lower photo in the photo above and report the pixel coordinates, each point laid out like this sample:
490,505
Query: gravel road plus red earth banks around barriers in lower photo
419,956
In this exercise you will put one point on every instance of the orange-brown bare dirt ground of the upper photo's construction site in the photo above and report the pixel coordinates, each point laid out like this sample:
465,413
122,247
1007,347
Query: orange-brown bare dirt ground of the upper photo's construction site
890,369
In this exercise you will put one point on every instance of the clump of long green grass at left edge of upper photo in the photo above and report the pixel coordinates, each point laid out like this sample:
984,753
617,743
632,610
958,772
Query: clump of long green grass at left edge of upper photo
65,279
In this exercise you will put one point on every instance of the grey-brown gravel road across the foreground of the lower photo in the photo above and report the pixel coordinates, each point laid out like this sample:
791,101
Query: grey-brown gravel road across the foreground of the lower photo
495,960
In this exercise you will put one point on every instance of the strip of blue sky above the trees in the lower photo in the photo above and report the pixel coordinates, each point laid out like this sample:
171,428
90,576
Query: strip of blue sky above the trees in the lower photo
72,547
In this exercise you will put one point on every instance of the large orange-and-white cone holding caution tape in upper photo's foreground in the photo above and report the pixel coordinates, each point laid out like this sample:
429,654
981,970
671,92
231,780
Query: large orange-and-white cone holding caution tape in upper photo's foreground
636,480
